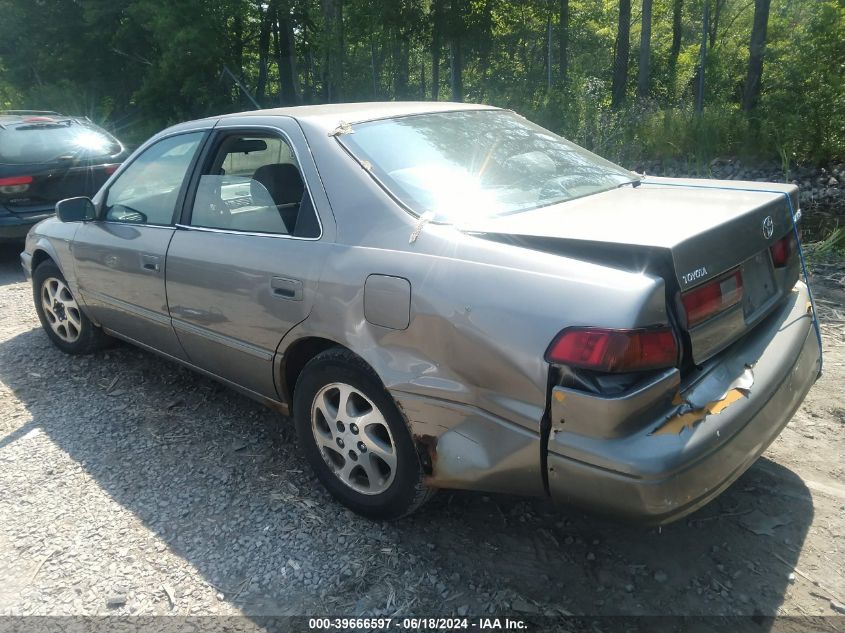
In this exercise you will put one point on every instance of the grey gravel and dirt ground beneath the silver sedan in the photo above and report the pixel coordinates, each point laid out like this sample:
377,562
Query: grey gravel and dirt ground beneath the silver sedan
129,485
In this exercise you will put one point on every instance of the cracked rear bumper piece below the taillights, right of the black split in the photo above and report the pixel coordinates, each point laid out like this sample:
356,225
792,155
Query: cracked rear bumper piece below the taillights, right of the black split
662,478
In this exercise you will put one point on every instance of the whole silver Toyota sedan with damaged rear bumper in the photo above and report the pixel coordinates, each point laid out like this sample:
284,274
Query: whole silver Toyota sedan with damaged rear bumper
448,296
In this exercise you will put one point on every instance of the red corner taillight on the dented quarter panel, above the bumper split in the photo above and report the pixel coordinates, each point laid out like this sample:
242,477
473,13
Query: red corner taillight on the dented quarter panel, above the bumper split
614,350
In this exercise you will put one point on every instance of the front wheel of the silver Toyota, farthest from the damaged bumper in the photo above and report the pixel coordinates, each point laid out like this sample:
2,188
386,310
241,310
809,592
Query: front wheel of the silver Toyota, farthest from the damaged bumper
61,315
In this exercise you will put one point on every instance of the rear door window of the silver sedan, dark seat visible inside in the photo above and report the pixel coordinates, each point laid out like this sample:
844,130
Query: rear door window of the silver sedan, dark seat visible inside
254,185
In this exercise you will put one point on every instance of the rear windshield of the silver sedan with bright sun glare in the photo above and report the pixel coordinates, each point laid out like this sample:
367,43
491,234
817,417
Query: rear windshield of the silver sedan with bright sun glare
465,165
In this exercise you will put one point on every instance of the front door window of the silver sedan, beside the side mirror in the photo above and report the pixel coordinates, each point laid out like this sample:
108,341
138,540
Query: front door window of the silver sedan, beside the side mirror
148,190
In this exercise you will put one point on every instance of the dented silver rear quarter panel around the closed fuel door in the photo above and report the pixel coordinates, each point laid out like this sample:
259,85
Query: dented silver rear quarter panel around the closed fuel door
482,313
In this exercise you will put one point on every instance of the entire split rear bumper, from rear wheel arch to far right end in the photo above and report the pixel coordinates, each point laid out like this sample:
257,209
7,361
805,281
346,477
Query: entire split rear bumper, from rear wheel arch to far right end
648,468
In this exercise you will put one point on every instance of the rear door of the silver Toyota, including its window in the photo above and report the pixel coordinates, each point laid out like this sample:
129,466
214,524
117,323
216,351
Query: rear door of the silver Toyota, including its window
243,266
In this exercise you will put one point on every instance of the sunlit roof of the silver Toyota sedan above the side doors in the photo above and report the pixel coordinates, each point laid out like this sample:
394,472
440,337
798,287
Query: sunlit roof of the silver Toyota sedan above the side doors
331,115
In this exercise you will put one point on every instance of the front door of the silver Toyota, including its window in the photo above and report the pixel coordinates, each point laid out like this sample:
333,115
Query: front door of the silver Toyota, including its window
120,258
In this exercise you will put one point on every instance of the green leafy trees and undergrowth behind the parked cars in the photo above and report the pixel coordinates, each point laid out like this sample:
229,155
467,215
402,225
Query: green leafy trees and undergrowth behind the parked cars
138,65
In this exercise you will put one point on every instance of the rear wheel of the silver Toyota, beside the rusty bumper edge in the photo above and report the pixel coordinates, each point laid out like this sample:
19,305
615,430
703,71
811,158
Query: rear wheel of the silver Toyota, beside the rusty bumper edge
355,439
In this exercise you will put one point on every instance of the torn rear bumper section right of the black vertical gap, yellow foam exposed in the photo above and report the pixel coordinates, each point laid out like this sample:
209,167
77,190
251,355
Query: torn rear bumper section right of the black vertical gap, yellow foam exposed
688,454
